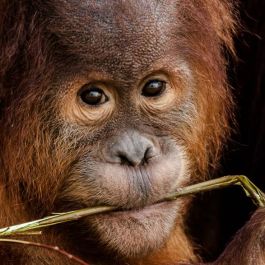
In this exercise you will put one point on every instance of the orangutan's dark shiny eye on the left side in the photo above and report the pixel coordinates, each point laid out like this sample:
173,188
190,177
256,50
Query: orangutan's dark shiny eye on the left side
92,95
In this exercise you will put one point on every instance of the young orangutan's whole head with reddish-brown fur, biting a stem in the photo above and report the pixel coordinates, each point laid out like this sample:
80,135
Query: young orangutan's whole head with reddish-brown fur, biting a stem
110,103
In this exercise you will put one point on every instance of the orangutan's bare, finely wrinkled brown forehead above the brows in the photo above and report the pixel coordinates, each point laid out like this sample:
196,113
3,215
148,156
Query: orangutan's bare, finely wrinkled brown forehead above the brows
102,30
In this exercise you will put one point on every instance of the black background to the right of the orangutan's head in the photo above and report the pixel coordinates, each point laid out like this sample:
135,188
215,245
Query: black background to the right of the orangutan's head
222,213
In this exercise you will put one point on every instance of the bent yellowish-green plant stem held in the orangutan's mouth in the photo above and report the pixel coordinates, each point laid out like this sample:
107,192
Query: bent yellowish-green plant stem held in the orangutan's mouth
252,191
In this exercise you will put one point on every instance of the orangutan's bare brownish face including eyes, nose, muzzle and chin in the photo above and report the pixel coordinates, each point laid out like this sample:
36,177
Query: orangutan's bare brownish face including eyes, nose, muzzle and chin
136,165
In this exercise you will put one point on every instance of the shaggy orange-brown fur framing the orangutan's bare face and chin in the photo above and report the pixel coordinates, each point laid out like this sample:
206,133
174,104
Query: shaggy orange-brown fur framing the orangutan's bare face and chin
35,158
